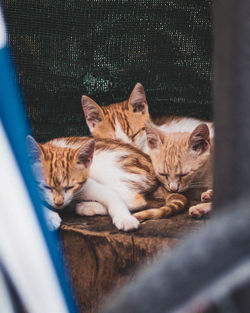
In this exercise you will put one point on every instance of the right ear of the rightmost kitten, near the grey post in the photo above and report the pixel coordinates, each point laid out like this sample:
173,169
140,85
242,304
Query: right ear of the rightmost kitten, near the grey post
199,140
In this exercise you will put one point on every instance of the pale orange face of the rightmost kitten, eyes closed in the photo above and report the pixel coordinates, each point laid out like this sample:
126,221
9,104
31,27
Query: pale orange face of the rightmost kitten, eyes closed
179,158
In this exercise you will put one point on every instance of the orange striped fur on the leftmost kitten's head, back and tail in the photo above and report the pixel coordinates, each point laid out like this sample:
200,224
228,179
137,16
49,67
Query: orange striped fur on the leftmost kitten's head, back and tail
61,171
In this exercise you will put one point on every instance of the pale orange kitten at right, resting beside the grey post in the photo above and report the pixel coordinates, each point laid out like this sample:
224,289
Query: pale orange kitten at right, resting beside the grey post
183,163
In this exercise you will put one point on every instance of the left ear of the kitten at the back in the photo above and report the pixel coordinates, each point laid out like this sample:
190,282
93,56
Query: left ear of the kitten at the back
93,113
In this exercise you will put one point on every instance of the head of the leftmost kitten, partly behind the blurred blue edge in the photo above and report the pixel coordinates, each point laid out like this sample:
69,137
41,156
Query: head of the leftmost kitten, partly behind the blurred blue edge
60,172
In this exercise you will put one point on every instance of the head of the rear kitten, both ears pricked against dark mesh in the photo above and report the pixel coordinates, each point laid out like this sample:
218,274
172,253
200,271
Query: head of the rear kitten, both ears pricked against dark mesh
123,121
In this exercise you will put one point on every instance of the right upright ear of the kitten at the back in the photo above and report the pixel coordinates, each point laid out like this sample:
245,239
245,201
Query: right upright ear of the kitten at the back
137,99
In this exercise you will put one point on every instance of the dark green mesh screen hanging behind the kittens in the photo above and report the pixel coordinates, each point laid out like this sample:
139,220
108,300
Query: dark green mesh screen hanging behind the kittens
101,48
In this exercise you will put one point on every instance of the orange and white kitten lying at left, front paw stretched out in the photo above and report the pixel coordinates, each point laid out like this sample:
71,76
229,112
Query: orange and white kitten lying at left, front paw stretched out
116,175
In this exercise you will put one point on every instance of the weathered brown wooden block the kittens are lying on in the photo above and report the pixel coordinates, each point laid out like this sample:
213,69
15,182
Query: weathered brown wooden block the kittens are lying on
101,258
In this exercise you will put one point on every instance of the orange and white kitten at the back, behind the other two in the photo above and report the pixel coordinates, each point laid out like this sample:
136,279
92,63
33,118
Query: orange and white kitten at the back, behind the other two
125,120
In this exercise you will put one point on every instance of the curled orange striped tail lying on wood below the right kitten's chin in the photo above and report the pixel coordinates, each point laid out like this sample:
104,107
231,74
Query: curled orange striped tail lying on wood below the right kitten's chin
174,204
